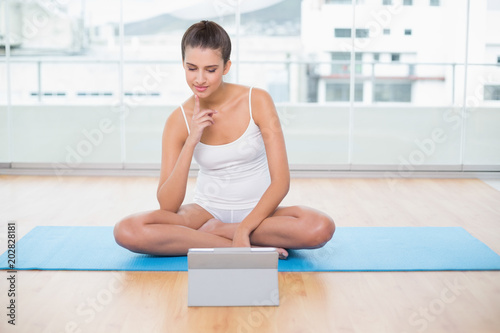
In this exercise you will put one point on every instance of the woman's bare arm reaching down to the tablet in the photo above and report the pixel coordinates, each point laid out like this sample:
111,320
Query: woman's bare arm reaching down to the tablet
267,119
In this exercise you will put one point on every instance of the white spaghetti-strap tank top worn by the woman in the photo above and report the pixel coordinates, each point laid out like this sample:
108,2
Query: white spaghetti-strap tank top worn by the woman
233,175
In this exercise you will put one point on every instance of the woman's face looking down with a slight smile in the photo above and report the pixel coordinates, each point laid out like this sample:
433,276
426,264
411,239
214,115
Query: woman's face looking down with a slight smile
204,69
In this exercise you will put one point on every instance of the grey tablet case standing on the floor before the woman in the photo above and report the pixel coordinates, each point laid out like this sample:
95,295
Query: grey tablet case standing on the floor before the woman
233,277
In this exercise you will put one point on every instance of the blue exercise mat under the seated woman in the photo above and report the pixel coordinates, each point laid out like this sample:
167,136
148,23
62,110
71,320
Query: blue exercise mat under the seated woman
351,249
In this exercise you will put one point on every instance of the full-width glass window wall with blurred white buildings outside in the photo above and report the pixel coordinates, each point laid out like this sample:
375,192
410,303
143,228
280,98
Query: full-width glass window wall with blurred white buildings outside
298,50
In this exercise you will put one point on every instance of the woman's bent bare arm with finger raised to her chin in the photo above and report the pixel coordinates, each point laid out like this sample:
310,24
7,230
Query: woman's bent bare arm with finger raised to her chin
177,153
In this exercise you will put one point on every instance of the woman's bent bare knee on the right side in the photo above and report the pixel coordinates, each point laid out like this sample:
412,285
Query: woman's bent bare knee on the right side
321,228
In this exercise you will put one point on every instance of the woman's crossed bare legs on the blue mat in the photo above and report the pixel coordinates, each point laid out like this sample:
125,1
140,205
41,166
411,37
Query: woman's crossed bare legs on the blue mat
165,233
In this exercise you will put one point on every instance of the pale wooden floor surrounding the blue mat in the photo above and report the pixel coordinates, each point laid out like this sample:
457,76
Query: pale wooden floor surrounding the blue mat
58,301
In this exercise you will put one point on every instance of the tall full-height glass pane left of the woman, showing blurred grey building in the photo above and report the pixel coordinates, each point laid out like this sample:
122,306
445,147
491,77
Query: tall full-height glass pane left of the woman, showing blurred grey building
64,60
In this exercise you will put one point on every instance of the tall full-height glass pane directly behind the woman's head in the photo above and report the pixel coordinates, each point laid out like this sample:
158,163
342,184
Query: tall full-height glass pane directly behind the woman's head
153,78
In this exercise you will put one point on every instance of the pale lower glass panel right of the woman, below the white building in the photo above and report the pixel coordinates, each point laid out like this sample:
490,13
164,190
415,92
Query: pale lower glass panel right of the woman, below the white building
406,138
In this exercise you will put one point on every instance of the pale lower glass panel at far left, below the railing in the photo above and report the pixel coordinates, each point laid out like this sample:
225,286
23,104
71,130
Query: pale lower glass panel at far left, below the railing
65,137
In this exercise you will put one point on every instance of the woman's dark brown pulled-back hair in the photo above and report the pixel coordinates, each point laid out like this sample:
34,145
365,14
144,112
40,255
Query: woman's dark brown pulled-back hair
207,34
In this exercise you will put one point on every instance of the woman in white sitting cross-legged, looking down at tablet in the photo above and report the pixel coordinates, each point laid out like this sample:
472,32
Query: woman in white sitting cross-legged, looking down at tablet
234,134
